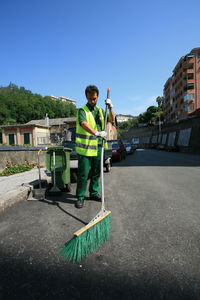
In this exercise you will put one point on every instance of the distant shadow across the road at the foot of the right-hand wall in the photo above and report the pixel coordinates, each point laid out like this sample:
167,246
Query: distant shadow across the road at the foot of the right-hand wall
147,157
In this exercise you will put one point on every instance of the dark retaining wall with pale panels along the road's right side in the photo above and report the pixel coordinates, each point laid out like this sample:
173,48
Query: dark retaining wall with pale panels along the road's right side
185,135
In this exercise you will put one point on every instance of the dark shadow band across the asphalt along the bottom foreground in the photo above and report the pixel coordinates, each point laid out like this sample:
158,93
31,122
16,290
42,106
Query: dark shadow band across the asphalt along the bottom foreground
30,279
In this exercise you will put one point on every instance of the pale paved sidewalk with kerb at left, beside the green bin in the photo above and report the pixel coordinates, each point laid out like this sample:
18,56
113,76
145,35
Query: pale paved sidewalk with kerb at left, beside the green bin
16,187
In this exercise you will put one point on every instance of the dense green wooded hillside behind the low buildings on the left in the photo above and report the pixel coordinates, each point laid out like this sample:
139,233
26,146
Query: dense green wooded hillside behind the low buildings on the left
19,106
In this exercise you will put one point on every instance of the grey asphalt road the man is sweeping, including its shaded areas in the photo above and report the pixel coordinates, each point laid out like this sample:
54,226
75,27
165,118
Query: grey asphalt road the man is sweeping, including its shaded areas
153,252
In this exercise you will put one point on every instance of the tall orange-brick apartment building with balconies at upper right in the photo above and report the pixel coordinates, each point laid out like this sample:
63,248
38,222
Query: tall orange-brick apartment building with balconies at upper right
182,90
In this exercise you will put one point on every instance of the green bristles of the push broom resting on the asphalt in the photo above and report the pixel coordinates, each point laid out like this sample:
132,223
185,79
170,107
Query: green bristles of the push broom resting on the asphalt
87,242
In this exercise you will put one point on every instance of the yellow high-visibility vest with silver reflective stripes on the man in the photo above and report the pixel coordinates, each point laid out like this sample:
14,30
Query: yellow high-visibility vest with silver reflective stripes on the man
87,143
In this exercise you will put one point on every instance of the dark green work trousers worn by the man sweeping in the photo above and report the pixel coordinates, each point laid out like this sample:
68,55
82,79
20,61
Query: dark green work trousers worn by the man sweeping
85,164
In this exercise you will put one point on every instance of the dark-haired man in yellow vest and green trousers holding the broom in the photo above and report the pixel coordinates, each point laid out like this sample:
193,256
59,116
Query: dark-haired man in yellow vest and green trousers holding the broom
90,133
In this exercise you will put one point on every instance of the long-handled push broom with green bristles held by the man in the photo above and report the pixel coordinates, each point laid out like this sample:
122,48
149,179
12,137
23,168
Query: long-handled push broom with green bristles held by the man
90,237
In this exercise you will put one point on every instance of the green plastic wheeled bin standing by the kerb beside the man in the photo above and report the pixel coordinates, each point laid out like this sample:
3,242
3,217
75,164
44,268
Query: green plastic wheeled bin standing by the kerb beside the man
62,166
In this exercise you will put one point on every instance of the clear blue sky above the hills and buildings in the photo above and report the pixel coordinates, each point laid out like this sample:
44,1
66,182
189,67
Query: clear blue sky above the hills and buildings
59,47
